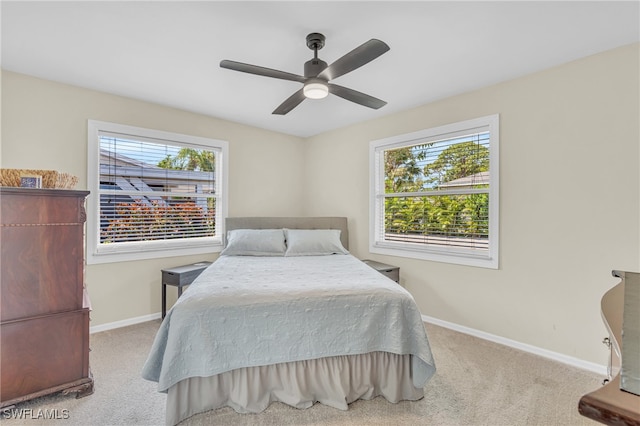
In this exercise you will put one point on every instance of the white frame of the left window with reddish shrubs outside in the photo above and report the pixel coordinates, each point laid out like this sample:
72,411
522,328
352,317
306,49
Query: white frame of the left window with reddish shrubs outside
101,253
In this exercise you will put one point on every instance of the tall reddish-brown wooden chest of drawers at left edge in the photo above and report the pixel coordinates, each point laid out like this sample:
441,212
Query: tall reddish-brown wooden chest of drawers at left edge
44,328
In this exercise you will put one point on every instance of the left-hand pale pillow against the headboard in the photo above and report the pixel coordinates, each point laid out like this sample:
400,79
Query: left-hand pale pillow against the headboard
255,242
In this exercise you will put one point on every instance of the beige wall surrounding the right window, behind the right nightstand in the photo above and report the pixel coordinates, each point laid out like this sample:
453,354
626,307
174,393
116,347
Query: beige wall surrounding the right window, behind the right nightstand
569,195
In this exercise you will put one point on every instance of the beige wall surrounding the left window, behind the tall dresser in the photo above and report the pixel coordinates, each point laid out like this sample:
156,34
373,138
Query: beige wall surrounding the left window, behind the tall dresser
44,126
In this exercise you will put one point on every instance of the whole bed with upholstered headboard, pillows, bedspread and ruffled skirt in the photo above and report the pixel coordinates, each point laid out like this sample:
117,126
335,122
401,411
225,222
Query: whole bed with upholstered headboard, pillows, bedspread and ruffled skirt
287,314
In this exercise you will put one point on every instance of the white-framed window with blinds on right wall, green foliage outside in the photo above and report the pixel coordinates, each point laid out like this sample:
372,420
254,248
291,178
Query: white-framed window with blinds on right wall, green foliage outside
434,194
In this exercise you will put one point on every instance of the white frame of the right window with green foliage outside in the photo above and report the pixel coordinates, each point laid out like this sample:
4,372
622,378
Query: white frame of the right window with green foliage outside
377,244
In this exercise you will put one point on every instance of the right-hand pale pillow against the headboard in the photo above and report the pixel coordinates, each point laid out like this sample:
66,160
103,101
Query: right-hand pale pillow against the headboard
313,242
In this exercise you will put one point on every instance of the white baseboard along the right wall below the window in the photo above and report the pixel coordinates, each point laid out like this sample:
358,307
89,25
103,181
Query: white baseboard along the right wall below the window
574,362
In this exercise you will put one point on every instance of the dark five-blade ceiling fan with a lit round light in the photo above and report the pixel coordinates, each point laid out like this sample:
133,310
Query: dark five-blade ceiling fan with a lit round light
317,74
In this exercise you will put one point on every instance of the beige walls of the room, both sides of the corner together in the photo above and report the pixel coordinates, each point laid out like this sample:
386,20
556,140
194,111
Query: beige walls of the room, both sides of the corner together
570,192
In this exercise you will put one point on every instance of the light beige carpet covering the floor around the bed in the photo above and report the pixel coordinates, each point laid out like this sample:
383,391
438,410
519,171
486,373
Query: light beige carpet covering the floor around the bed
477,383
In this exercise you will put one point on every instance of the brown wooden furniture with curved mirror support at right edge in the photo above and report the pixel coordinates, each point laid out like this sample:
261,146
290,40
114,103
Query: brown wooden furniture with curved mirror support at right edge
610,404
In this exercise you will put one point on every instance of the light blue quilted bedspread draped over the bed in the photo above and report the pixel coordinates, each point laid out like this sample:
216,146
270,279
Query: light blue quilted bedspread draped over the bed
252,311
